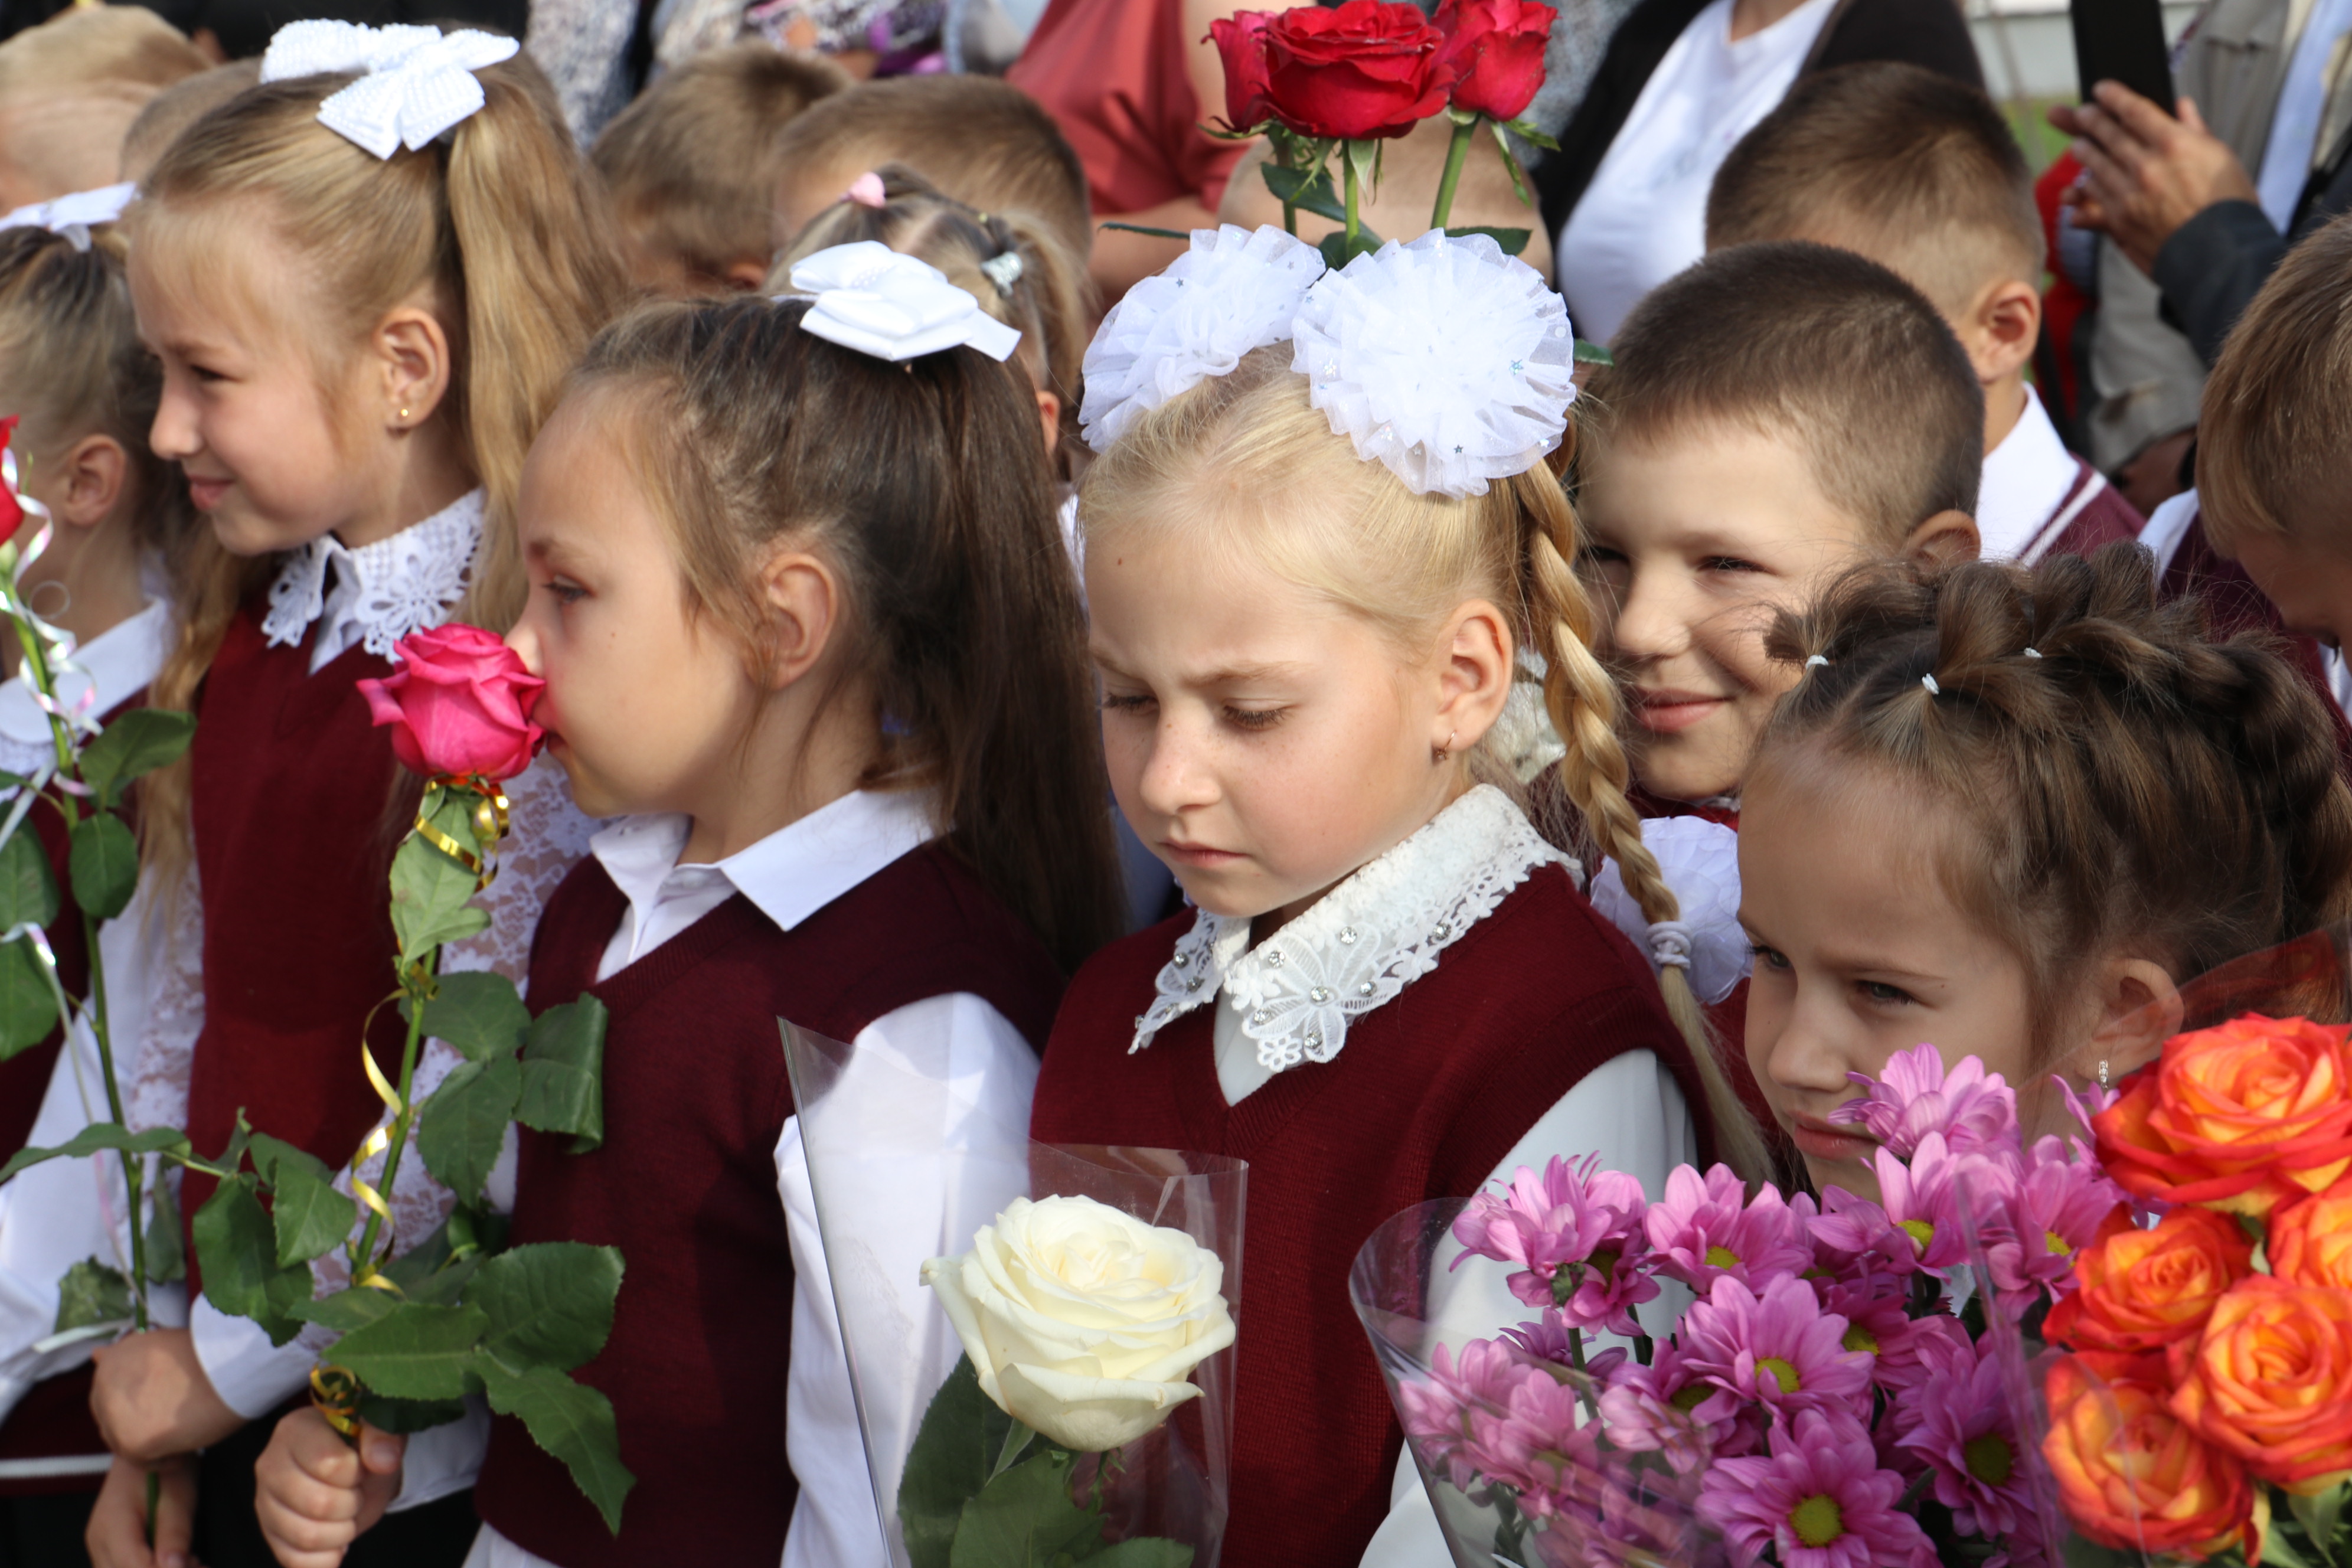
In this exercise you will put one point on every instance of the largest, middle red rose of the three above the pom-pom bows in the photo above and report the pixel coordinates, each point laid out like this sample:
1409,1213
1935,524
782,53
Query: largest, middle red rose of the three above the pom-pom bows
1365,69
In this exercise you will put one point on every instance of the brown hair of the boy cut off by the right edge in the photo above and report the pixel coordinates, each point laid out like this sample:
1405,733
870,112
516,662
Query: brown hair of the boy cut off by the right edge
2276,431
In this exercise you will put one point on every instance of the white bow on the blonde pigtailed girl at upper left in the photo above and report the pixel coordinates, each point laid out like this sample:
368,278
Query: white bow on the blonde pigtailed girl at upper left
415,83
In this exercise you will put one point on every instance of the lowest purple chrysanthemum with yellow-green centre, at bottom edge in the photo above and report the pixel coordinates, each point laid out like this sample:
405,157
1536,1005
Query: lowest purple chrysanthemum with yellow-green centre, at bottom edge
1817,1501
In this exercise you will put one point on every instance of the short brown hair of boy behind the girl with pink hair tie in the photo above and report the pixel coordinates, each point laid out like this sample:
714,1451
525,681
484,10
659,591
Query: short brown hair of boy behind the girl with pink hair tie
980,140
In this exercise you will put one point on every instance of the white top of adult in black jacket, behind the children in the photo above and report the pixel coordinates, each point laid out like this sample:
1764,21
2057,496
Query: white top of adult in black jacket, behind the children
1645,215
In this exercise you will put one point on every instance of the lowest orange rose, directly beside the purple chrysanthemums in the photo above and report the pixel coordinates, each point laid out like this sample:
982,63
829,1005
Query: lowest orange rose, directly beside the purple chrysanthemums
2132,1475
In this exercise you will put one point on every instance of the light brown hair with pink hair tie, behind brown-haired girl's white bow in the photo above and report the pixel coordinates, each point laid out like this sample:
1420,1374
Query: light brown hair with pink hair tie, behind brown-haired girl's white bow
1045,302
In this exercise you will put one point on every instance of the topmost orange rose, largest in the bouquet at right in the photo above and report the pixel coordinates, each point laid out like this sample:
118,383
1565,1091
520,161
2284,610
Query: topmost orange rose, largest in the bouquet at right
2243,1118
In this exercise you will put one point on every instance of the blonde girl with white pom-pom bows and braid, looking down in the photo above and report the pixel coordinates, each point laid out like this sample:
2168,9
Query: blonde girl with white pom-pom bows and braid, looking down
1318,535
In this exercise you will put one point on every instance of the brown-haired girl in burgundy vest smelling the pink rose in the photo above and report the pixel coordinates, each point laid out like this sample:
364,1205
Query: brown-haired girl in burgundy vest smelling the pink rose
808,634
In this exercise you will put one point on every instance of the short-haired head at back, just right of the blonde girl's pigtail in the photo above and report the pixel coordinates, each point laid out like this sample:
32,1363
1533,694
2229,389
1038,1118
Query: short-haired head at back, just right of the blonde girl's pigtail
695,163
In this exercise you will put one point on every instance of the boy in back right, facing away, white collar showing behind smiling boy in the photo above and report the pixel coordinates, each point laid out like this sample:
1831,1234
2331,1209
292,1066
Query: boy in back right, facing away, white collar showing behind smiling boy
1923,175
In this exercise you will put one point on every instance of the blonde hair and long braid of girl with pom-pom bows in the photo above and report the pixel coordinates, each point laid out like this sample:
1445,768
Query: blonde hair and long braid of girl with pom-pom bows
1356,535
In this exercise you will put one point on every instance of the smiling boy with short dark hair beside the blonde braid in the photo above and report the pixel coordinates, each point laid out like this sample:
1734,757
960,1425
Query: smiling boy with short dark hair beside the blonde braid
1777,415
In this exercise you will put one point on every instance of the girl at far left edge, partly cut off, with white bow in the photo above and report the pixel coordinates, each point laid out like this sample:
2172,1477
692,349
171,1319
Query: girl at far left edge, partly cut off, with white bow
86,391
